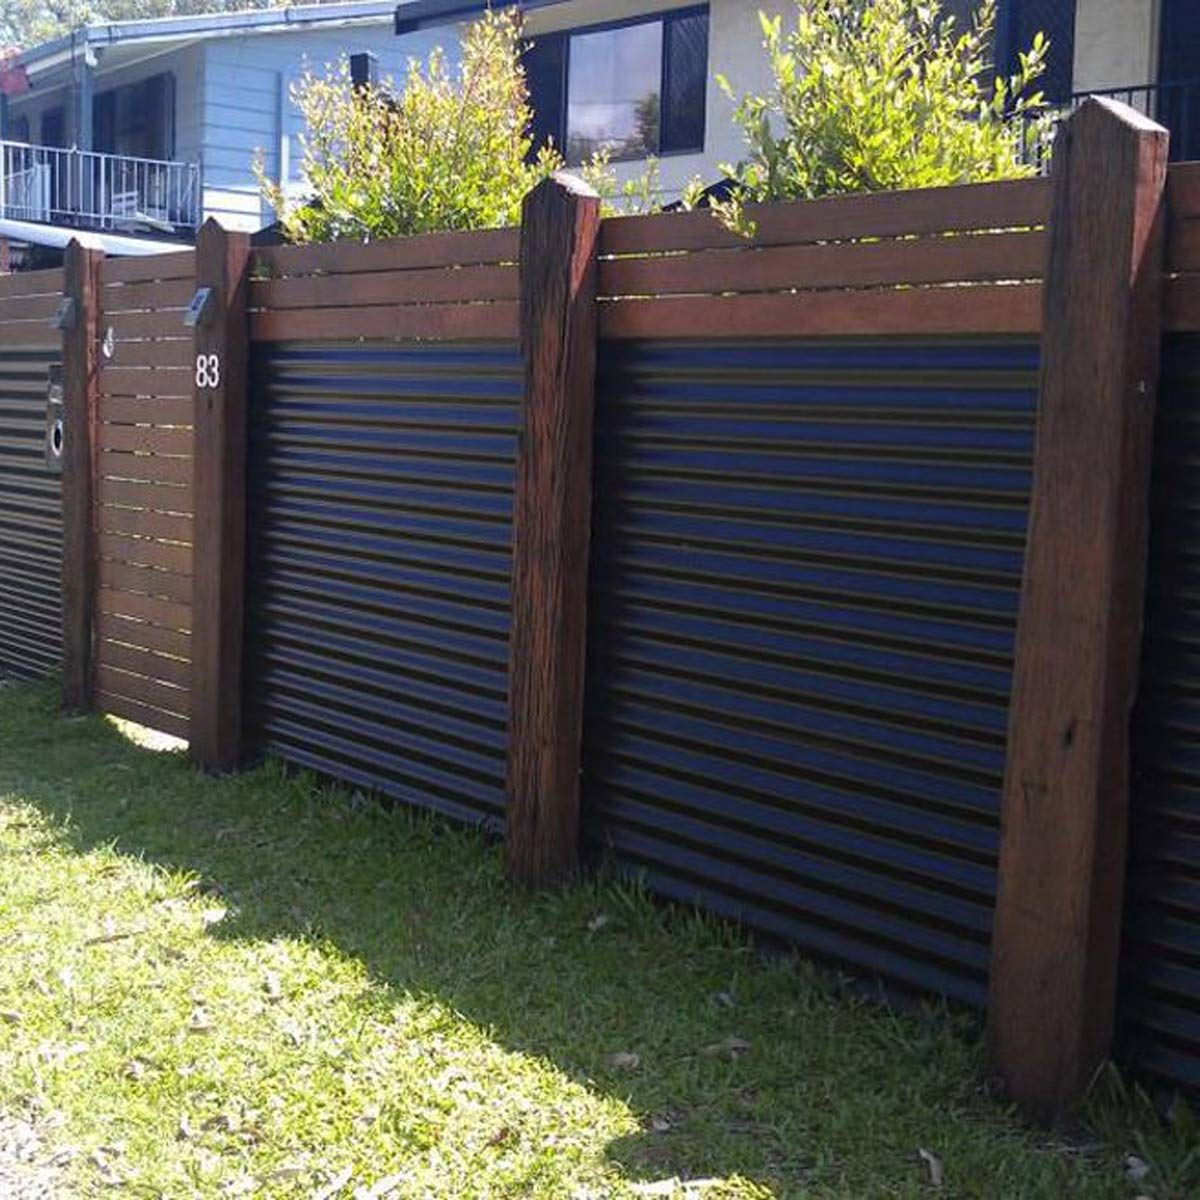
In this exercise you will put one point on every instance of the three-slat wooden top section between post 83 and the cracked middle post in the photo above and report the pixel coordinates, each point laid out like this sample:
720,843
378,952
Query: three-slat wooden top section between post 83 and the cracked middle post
446,286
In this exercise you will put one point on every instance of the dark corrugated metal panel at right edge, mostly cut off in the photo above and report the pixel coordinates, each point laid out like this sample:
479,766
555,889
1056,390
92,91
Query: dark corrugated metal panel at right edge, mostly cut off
1161,995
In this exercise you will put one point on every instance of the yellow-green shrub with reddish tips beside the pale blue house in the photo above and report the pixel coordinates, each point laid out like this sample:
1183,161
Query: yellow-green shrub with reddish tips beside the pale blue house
448,151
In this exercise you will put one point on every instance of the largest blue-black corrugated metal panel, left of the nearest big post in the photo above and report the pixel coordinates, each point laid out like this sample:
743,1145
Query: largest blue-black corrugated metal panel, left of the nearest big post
806,586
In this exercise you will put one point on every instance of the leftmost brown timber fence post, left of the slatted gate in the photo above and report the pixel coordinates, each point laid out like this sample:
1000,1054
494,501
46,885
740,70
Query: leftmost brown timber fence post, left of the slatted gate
81,389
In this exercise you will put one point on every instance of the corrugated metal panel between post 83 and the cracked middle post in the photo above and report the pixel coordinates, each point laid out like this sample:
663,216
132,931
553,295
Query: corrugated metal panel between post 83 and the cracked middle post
381,542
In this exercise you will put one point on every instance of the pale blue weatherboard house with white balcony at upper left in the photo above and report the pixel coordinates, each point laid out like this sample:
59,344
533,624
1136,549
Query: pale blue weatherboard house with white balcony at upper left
152,127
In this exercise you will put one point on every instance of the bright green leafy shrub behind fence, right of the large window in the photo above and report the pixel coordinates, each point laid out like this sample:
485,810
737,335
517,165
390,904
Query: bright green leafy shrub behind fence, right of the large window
874,95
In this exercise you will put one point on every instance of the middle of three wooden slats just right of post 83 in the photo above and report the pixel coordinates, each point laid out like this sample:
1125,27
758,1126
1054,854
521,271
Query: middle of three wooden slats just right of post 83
387,289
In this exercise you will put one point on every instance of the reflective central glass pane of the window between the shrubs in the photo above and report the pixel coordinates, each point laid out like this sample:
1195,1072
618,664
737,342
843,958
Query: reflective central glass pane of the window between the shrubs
613,92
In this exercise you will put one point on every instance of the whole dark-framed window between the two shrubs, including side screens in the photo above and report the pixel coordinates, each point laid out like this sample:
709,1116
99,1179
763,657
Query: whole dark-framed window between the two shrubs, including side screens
633,88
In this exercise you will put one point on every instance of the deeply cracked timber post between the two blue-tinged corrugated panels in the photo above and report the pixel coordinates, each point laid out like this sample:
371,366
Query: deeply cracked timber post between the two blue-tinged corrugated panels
553,513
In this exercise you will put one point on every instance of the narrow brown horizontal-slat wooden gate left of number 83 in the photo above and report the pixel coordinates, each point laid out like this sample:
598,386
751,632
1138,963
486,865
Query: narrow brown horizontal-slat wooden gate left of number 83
145,493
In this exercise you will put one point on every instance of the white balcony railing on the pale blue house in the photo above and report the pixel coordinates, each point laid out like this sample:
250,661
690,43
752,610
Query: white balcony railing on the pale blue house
98,191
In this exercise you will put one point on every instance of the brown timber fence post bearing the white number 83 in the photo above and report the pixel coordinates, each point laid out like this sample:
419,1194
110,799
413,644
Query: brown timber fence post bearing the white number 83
221,362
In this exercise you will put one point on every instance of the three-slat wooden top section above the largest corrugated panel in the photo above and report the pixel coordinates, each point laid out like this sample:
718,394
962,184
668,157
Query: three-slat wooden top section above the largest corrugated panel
940,261
